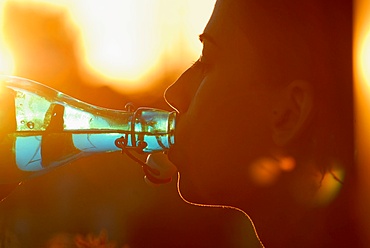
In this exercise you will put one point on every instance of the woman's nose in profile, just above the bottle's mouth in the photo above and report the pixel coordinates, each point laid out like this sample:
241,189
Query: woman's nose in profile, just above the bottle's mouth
180,94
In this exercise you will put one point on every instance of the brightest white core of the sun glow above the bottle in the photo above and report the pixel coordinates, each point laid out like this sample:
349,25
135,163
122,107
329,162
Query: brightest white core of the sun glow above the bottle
119,38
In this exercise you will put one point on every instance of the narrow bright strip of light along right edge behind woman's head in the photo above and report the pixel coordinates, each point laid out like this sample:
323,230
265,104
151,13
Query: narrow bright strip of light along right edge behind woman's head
362,96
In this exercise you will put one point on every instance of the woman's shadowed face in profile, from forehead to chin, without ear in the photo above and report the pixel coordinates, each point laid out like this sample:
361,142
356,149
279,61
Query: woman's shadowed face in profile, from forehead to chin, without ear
225,113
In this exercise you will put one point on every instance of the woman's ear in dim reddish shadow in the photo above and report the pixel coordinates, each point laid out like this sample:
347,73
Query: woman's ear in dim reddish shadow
293,112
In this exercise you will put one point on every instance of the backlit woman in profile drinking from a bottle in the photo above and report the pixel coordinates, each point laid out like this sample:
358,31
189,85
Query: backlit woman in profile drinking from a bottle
265,119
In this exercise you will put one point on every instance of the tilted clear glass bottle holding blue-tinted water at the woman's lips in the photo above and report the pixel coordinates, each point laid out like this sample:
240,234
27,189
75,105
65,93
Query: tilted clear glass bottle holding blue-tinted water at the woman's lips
42,128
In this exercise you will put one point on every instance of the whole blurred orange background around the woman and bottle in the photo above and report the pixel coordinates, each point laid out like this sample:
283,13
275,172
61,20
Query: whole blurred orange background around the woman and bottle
109,53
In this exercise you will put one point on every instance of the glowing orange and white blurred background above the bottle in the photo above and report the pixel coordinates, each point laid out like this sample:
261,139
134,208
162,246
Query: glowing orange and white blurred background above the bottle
131,47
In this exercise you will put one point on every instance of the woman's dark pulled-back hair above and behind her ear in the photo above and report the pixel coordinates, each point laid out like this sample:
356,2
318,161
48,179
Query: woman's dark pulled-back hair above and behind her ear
309,40
